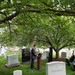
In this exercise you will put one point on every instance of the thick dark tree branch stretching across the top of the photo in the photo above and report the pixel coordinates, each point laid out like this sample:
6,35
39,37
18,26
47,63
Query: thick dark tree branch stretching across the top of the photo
57,12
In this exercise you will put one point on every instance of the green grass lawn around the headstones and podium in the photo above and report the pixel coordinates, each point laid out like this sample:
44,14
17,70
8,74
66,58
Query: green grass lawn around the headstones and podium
26,68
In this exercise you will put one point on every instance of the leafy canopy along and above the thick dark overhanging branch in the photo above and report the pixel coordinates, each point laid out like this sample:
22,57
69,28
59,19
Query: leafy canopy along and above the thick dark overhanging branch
12,8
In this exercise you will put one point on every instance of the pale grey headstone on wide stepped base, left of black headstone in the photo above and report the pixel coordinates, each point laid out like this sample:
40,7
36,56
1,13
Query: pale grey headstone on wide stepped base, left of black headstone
12,60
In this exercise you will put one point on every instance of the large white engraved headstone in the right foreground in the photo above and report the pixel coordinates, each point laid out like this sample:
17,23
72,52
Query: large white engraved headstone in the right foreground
55,68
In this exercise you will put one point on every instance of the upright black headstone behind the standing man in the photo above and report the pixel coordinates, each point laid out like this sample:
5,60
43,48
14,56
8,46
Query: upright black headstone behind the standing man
25,55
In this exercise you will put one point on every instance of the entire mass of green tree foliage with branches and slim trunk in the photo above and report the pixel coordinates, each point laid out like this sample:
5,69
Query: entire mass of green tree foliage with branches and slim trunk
50,21
